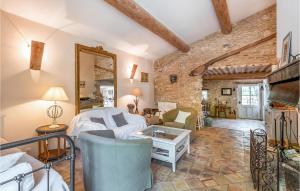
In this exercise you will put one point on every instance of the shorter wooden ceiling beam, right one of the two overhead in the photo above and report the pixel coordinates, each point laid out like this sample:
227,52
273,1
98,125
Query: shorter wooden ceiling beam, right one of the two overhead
222,13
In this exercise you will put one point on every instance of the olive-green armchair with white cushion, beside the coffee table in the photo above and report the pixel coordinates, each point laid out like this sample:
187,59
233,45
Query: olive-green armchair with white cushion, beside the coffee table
190,122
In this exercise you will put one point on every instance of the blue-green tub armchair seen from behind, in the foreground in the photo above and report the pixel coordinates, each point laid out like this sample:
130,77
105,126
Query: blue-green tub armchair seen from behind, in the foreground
111,164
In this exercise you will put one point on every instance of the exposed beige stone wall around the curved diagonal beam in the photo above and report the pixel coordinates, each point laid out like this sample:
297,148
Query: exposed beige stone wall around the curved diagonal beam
187,90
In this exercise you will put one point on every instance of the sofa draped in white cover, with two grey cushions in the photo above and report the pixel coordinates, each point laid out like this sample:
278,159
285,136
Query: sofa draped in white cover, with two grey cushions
82,122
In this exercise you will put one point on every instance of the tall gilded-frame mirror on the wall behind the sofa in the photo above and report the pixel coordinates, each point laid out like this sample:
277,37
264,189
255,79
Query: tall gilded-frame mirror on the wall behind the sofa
96,78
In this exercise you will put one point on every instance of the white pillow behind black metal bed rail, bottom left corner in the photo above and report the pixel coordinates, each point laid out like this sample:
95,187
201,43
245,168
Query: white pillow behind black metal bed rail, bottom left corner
27,183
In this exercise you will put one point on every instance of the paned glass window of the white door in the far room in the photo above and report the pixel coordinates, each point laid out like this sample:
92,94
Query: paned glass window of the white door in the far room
250,95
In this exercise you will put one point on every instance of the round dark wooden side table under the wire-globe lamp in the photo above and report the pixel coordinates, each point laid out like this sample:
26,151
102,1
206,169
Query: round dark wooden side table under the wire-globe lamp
45,154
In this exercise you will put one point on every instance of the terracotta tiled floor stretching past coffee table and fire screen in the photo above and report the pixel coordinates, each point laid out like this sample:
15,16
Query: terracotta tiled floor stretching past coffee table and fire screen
219,160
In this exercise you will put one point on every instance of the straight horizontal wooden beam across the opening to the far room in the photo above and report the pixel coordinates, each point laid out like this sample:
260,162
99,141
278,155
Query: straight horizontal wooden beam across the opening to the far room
240,76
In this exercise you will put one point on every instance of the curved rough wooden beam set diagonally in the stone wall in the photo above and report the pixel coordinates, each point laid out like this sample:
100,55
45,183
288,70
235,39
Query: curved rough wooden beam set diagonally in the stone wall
202,68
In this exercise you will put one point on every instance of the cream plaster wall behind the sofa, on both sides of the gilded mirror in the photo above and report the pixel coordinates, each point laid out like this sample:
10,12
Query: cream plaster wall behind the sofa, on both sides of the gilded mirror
22,88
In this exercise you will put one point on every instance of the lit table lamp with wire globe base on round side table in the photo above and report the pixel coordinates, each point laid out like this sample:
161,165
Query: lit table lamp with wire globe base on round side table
55,111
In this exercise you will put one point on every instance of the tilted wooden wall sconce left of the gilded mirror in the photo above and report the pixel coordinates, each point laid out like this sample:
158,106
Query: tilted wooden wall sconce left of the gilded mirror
37,50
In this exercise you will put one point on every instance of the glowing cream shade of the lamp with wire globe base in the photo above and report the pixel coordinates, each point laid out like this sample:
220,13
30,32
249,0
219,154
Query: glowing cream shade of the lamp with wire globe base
55,94
